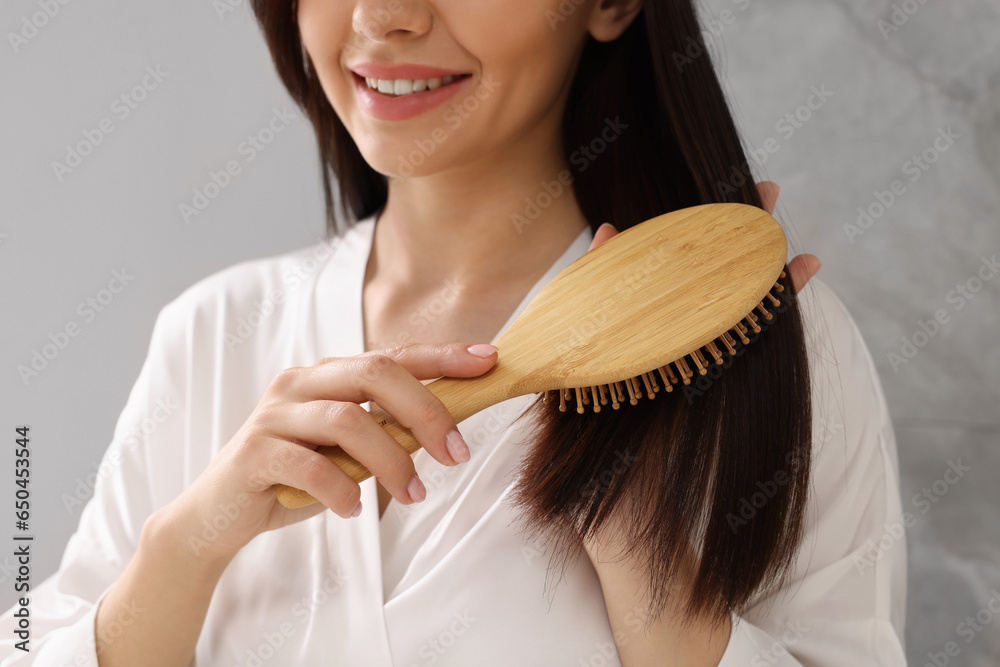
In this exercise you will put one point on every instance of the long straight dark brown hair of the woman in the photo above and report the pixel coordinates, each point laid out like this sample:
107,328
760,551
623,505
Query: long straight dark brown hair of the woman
722,467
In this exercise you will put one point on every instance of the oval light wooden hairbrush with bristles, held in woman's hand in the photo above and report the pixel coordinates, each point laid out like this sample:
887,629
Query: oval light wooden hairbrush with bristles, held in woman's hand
664,298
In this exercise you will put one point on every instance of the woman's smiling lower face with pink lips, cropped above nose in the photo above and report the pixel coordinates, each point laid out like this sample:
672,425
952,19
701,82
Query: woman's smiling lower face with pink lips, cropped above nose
385,67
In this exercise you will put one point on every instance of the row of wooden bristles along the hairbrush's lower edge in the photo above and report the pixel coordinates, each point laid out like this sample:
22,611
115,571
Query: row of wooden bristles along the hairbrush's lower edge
714,353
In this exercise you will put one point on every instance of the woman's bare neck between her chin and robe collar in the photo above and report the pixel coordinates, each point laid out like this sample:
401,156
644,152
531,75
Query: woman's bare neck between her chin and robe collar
480,225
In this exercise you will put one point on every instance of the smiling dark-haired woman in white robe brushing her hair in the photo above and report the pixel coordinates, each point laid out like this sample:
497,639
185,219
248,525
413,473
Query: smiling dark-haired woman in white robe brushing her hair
445,122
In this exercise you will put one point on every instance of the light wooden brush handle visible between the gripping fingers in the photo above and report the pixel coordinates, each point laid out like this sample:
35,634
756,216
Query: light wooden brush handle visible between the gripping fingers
463,397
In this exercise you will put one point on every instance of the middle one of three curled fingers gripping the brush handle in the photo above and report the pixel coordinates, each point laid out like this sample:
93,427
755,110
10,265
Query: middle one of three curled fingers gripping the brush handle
348,425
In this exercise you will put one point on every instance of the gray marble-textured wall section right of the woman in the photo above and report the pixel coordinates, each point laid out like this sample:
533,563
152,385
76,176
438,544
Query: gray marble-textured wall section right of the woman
901,77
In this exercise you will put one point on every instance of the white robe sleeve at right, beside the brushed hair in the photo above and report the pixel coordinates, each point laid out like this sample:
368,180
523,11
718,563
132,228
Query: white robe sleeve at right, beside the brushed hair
844,603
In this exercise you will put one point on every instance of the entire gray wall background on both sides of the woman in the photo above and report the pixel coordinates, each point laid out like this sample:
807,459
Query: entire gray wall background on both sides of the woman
893,85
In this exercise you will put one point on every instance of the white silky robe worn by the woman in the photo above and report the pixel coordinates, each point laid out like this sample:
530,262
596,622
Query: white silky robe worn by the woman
450,581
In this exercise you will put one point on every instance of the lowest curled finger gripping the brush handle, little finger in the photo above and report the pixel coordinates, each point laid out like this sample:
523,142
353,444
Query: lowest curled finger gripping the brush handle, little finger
301,468
